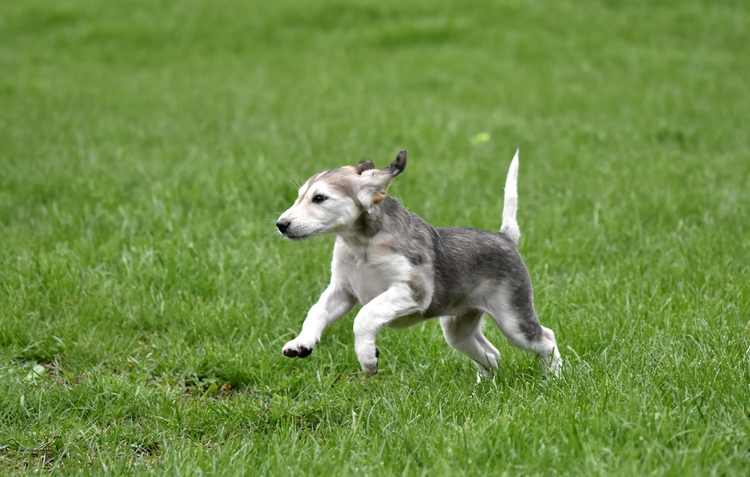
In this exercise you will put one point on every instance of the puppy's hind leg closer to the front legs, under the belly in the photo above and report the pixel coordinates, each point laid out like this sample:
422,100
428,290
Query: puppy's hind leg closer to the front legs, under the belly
464,334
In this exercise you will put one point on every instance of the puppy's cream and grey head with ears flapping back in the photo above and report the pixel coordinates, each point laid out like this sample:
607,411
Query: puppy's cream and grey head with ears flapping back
332,201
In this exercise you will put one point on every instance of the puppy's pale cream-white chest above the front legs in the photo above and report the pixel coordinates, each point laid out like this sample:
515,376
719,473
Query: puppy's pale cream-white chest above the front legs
369,274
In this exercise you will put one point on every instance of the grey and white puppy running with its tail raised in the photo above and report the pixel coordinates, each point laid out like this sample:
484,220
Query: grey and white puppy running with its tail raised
403,271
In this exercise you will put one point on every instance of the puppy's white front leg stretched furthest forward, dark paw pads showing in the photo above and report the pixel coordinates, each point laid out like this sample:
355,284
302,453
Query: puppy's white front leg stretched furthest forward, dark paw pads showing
334,303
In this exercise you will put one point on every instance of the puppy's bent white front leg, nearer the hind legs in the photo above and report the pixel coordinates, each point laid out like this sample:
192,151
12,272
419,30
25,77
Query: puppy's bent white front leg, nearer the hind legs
395,302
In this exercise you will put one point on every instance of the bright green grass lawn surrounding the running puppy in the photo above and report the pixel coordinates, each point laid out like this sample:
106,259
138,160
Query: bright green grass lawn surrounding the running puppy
147,147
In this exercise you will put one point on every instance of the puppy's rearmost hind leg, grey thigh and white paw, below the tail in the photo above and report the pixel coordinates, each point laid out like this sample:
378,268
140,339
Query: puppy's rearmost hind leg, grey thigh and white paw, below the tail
513,312
